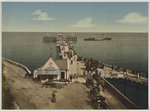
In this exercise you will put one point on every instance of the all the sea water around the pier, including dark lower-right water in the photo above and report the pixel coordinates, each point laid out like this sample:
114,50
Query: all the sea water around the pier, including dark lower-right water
127,50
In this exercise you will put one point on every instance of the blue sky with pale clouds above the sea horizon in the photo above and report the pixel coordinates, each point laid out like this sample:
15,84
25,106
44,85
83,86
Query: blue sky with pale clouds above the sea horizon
75,16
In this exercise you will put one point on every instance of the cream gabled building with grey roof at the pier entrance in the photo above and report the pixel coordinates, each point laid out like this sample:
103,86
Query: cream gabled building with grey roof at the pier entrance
53,69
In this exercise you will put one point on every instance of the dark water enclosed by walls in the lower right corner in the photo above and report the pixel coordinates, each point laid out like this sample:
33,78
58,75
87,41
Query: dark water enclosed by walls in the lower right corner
136,92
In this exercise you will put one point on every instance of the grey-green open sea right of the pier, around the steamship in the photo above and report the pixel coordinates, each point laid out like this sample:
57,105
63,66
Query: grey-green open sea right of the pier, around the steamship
129,50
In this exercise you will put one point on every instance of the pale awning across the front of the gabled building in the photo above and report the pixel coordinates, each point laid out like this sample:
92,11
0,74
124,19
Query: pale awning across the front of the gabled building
45,72
